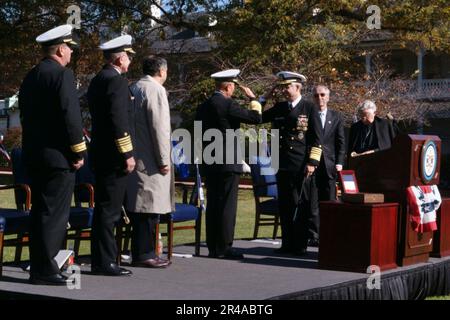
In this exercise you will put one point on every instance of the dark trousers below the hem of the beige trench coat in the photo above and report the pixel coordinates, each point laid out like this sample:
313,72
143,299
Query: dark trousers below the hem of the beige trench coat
143,239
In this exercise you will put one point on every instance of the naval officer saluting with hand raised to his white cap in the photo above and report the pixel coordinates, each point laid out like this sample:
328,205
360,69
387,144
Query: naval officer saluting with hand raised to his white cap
221,112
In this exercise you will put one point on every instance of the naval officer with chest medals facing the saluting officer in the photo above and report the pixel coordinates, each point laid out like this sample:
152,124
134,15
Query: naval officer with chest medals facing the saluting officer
300,152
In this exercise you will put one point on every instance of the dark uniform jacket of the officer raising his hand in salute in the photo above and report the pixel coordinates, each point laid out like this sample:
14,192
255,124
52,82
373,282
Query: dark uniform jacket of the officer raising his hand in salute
219,112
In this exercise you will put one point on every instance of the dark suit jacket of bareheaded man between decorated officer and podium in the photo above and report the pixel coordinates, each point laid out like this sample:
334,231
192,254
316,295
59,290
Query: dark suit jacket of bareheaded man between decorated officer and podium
333,142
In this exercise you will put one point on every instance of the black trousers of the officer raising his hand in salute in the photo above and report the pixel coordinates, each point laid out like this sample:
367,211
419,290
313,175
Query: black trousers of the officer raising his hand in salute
221,197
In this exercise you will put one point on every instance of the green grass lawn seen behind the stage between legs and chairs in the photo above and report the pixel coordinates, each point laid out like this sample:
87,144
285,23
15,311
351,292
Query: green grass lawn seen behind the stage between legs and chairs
244,224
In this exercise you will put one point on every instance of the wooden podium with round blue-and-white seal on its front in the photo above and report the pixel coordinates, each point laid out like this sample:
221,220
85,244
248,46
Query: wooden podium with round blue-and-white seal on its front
409,162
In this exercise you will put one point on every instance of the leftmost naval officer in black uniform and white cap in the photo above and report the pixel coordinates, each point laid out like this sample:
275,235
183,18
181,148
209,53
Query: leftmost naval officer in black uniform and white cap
53,148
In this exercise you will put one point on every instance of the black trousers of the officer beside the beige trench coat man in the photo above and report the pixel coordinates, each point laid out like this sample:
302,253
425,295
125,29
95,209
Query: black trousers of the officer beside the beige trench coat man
109,196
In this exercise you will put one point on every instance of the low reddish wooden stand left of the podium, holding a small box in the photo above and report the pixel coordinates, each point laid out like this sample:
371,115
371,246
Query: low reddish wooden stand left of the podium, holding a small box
356,236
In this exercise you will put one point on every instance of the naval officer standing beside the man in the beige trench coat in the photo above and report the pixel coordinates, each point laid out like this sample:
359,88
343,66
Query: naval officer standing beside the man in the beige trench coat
111,151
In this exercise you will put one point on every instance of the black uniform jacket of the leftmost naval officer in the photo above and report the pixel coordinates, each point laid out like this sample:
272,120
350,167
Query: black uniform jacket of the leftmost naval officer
52,135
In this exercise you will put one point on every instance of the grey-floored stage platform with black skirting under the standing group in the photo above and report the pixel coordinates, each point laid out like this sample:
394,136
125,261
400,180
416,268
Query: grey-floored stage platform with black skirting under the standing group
261,275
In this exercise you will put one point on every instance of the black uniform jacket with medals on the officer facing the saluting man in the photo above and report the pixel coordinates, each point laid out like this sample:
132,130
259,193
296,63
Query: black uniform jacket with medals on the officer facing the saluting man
299,133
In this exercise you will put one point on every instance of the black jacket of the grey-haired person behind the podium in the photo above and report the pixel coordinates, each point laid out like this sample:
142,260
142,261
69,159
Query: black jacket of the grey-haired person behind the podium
383,130
